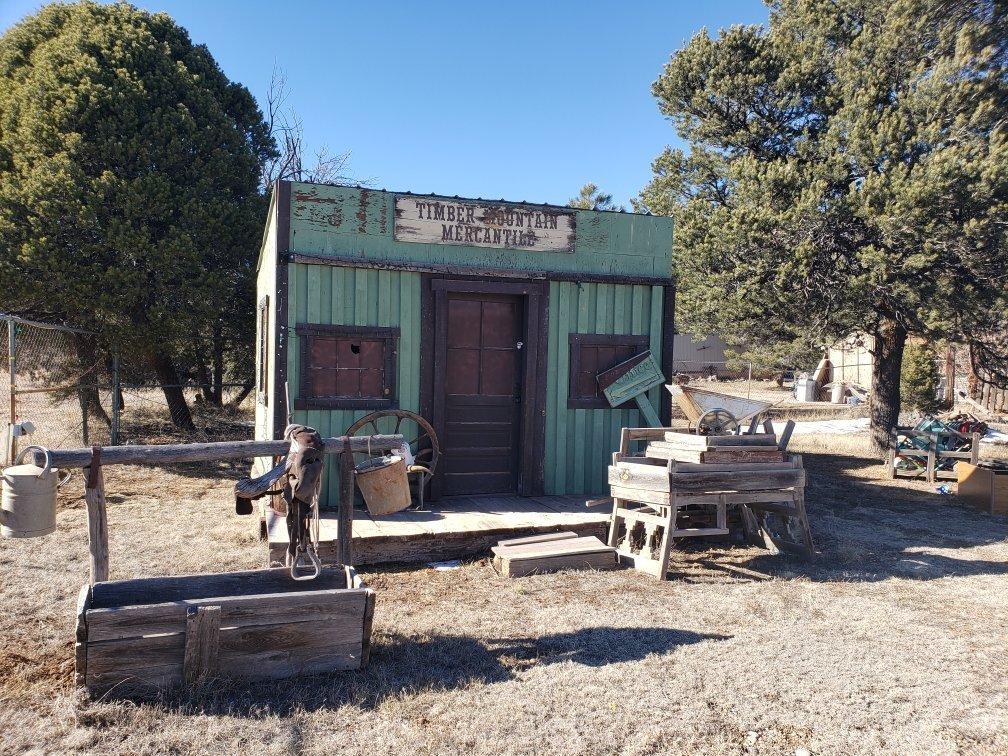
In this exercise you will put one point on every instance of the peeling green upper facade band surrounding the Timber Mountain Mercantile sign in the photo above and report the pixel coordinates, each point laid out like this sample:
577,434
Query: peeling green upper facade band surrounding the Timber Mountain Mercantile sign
349,222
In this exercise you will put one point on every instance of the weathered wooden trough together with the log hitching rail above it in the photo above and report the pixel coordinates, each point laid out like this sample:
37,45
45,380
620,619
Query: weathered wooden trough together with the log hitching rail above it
144,637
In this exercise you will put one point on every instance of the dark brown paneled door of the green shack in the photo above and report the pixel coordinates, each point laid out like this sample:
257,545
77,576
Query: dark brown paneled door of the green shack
482,377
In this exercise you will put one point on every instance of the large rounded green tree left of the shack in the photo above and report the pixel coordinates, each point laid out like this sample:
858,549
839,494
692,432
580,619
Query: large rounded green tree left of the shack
130,183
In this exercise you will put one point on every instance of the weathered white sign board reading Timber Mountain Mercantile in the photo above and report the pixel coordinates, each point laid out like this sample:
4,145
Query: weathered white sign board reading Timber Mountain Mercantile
433,220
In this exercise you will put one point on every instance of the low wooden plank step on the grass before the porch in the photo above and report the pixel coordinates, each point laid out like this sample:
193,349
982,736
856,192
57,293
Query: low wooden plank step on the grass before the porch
552,553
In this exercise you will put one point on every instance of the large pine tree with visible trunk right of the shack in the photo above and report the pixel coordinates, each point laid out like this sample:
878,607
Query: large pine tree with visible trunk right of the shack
847,171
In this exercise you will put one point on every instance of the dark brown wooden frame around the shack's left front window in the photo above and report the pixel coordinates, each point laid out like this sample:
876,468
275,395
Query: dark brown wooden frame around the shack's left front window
306,332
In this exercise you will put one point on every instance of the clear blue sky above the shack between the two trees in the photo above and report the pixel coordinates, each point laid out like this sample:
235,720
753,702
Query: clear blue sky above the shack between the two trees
522,101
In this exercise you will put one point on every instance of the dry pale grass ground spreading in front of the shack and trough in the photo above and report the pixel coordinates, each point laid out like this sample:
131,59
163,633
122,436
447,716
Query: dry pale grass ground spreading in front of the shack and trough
893,641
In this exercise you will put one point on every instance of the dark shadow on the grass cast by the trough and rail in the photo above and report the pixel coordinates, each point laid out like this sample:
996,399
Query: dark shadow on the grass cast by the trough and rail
408,666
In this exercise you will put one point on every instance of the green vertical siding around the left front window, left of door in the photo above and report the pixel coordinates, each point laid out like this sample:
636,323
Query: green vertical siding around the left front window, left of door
354,297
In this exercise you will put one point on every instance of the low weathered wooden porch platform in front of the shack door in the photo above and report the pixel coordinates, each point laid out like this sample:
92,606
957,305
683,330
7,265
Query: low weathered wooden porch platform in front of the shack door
456,528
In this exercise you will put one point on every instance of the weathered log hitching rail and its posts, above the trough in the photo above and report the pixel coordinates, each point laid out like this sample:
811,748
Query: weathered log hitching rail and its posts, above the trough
93,459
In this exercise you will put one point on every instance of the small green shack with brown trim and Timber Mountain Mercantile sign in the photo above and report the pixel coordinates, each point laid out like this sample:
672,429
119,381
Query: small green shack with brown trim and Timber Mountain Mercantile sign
490,319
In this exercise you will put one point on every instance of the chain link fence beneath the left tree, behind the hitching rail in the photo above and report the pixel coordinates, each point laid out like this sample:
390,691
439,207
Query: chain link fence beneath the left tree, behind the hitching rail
59,392
